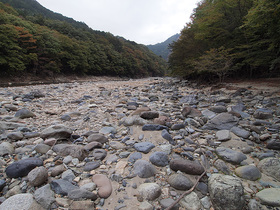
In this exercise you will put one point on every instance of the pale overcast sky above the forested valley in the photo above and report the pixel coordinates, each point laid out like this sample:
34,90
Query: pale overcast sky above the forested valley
142,21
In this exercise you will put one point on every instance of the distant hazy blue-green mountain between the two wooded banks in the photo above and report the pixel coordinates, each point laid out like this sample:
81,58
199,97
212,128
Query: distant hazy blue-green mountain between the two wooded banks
162,49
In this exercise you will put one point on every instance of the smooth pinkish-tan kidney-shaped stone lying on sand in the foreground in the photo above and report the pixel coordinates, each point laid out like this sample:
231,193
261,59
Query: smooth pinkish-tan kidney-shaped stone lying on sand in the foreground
103,184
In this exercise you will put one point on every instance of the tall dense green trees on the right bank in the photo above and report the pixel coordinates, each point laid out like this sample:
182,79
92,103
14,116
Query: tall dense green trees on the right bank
237,38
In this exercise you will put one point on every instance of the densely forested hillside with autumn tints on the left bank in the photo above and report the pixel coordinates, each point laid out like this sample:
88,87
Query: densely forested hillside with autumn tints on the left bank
35,40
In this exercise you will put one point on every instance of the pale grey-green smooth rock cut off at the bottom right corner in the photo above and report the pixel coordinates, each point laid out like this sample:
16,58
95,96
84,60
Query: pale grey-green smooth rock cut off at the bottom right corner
270,196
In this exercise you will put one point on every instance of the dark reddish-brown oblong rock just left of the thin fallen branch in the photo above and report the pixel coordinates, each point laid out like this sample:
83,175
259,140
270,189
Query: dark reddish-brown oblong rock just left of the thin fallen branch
187,166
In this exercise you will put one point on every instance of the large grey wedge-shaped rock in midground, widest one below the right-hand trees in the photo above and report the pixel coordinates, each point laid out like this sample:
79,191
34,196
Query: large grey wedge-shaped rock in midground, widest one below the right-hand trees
223,121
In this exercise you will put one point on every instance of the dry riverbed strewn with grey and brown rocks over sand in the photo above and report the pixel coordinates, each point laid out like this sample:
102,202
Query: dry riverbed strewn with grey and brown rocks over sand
139,144
